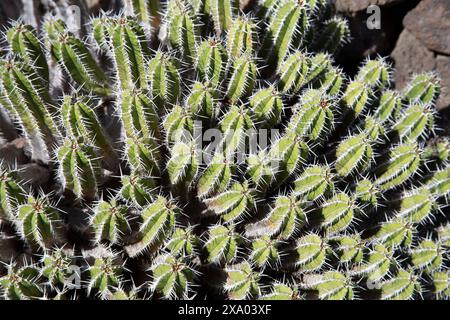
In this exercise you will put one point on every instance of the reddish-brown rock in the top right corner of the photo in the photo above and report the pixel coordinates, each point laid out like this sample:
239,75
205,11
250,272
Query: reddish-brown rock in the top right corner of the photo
430,23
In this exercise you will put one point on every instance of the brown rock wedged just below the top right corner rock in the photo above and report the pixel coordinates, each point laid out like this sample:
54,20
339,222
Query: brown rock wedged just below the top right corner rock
410,57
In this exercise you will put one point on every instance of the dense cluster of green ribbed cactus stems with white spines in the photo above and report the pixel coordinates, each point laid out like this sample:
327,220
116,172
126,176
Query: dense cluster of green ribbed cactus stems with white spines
248,165
